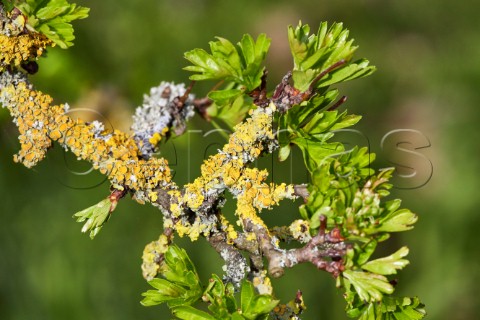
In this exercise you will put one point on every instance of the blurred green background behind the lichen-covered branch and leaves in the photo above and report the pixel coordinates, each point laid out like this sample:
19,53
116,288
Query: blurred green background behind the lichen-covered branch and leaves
428,59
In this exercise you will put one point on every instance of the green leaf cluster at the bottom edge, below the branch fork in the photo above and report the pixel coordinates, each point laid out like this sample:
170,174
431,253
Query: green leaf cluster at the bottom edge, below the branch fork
180,288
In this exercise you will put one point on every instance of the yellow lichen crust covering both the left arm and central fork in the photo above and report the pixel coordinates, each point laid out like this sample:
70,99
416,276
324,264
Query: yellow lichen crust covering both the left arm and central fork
116,154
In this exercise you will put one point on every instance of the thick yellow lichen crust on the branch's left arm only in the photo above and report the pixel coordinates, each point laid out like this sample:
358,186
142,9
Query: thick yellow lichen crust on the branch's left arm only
113,153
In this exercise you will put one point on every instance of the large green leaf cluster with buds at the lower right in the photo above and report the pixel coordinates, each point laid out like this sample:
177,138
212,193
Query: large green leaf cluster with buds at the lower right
346,191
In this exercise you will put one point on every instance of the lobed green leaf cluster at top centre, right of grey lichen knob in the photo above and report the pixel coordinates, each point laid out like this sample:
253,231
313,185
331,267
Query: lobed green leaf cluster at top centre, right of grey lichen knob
240,68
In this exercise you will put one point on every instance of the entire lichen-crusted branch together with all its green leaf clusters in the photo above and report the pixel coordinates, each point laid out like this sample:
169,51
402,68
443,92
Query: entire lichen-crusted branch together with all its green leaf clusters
343,217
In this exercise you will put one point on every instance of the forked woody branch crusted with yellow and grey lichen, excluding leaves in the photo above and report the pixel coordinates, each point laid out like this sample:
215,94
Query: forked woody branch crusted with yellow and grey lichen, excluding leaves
191,210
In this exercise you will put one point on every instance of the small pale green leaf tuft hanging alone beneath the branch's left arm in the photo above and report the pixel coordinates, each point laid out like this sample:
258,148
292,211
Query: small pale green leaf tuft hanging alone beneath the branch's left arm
96,216
